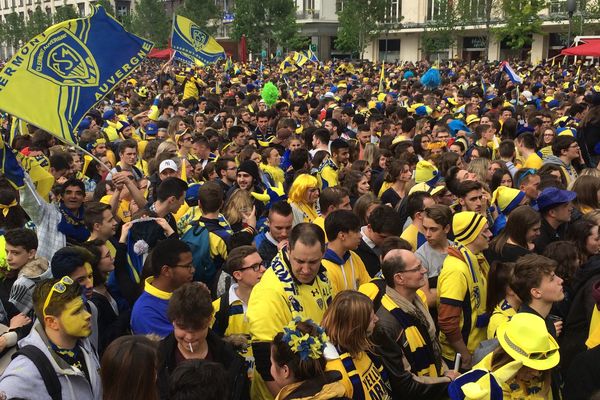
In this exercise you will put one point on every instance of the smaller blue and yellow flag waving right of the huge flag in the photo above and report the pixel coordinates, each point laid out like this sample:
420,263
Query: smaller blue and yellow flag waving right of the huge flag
189,39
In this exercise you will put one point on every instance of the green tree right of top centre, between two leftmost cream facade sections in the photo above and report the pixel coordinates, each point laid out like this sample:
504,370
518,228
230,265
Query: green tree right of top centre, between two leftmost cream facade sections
359,23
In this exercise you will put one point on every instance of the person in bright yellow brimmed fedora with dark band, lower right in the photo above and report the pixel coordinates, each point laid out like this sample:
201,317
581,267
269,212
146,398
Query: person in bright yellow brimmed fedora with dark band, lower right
520,368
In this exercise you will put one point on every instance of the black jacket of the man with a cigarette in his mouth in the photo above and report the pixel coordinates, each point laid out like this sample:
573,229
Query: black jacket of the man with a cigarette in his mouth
222,353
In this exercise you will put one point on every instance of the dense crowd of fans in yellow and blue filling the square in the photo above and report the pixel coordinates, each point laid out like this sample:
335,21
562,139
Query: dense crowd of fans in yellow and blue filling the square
357,235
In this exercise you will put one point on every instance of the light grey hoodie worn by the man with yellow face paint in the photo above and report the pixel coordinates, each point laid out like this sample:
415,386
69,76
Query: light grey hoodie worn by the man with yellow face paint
22,379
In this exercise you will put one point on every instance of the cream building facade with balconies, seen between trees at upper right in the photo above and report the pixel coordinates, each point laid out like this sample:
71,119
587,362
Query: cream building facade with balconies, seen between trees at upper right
407,22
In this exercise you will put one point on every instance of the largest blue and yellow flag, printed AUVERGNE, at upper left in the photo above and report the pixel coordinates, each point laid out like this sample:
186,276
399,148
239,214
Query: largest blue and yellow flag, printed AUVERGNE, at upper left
60,74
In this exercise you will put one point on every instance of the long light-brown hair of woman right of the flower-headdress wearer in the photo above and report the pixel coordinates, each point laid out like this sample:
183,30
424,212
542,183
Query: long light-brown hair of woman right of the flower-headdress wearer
347,321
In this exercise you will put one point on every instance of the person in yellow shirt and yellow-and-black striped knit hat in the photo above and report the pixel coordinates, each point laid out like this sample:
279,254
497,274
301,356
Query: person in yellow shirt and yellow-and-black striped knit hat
462,289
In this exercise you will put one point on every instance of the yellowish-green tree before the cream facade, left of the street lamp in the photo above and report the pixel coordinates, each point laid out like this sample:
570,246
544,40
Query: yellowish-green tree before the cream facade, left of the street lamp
522,20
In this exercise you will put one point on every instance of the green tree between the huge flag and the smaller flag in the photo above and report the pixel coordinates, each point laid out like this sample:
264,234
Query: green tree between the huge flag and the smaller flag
150,21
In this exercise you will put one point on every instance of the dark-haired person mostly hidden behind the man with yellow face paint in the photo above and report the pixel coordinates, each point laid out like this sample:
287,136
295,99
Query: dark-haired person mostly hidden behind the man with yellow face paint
75,263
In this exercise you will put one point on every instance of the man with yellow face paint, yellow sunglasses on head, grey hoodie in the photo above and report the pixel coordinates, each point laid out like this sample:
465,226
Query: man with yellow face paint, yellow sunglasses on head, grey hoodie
61,334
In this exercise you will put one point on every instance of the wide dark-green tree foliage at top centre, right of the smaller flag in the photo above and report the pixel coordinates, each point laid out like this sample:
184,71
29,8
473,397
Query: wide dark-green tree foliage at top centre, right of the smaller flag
267,24
